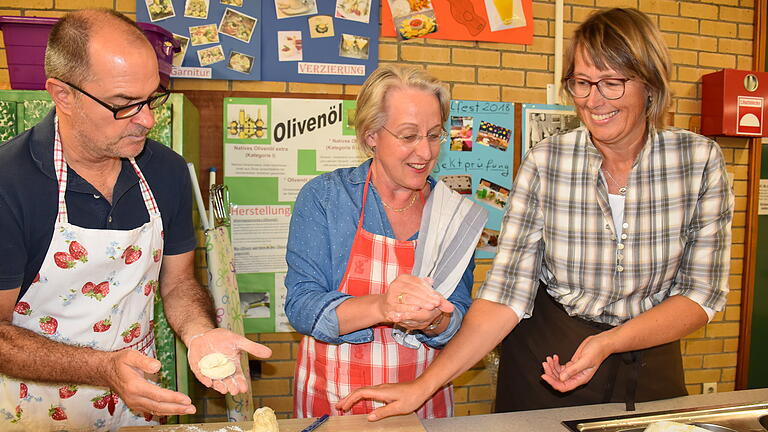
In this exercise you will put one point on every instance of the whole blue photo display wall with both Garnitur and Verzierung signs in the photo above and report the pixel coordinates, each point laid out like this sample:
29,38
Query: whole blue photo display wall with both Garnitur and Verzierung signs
270,40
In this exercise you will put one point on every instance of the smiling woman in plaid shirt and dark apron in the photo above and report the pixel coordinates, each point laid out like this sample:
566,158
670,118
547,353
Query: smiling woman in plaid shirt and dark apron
616,243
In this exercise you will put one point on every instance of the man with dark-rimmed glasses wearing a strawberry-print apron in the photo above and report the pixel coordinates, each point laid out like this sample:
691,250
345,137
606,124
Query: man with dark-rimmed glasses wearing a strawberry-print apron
96,218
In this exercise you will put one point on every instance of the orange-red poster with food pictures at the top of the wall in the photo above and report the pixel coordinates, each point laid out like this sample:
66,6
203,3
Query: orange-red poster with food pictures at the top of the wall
507,21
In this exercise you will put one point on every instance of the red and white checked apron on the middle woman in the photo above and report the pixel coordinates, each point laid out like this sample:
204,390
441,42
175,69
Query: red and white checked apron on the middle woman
325,373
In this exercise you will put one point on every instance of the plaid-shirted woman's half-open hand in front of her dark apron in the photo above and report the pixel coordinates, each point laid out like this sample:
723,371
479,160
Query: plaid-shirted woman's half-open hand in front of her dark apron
580,369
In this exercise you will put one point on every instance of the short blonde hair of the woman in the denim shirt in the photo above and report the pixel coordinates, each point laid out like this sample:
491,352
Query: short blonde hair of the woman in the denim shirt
371,112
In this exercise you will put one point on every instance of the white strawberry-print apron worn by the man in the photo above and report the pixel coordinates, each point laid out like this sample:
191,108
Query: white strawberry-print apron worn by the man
95,289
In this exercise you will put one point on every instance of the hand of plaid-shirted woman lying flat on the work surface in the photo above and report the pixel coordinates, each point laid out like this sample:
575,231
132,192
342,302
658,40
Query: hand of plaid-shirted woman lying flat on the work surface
402,398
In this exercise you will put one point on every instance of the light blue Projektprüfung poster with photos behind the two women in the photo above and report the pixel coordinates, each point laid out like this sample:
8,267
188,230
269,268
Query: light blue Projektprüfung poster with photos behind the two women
477,160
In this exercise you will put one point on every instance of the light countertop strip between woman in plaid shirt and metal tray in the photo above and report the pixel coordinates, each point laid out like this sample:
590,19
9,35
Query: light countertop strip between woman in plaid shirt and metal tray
550,420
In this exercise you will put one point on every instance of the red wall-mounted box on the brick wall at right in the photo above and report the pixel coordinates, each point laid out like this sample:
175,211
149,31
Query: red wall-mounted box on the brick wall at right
734,103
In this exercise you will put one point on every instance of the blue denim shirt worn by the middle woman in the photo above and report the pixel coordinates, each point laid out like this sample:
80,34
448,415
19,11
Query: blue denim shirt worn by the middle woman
323,226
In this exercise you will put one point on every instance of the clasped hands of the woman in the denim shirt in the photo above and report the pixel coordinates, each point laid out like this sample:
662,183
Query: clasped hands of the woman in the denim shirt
412,299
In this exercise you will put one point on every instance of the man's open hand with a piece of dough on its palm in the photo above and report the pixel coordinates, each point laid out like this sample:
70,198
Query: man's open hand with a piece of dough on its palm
230,345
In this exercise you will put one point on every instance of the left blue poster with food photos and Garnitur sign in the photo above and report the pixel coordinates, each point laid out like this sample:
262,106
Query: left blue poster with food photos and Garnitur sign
220,39
